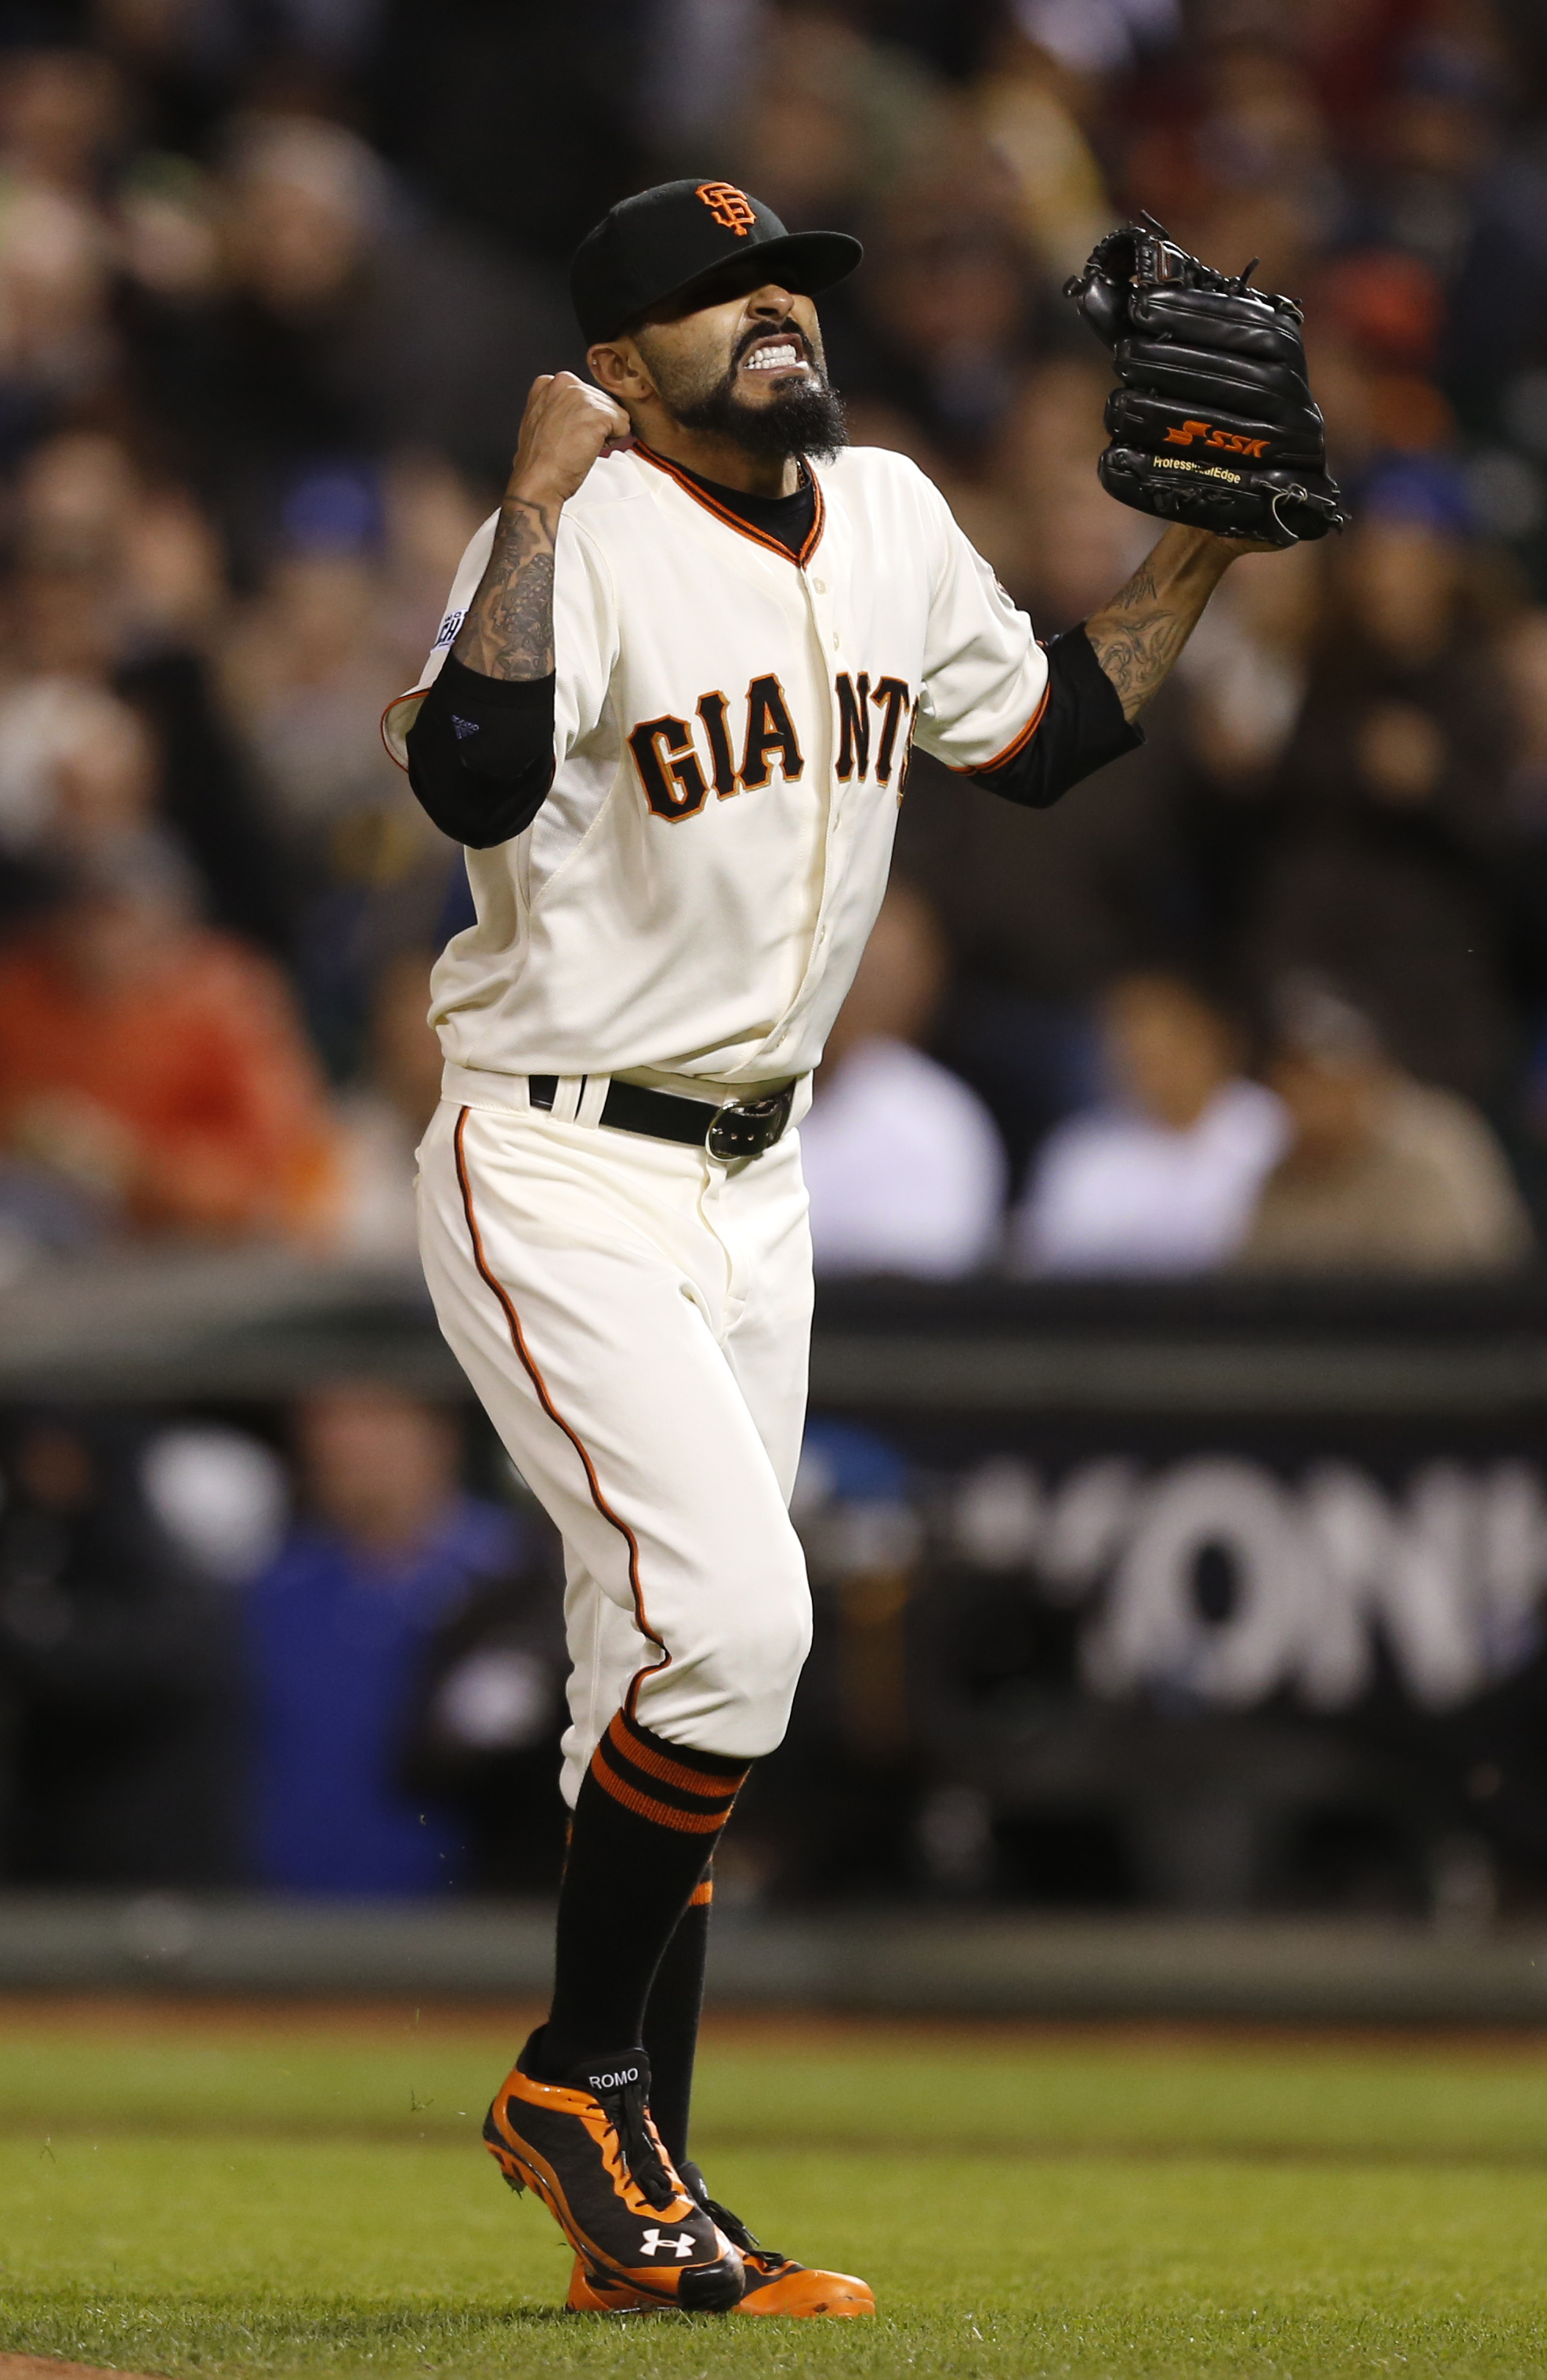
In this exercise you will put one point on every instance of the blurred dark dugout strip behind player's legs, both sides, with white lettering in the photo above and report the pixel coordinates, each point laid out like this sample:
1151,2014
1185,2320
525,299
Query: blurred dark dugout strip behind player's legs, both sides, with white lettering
320,1653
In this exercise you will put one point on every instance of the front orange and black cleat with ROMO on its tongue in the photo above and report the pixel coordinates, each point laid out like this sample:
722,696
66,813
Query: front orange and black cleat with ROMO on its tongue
589,2150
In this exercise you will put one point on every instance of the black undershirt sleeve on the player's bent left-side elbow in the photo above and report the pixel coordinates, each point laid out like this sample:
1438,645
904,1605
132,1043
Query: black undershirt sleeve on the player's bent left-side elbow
482,753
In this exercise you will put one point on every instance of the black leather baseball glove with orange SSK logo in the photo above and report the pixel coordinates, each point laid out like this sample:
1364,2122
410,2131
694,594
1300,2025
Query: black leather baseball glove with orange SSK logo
1213,422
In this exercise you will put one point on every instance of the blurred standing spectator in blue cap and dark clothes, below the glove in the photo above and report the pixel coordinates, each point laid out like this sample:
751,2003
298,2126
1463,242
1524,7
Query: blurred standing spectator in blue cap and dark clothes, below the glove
1386,856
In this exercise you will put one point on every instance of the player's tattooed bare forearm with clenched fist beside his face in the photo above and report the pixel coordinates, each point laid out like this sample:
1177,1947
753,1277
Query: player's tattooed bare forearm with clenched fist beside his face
508,630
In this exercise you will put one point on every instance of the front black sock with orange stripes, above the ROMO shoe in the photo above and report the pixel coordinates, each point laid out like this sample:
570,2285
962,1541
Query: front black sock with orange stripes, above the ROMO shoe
646,1824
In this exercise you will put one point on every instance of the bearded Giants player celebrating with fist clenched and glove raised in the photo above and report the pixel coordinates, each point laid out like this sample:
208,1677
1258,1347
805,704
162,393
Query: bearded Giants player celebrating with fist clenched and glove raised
670,718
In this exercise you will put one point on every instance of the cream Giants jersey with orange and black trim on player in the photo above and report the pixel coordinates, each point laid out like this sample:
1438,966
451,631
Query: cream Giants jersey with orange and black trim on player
732,732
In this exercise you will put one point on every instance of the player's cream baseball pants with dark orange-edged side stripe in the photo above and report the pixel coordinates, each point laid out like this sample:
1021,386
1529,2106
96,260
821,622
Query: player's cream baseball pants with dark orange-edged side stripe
637,1320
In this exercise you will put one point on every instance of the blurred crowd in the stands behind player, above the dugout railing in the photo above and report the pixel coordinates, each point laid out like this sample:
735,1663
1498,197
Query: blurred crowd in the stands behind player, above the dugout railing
273,284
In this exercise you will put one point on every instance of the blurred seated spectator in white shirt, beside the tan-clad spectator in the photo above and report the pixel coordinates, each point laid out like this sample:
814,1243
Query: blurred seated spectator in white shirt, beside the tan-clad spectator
1163,1177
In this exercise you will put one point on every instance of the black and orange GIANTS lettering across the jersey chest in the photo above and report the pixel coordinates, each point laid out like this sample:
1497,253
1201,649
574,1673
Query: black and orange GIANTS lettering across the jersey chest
672,770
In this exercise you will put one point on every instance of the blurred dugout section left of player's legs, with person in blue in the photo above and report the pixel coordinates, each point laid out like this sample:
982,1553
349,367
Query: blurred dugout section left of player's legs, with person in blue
308,1660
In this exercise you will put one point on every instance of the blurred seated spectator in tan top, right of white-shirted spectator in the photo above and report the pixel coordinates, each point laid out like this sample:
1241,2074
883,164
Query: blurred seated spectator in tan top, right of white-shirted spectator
1382,1175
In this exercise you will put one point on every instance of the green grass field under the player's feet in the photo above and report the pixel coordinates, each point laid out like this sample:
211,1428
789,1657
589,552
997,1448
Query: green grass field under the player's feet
206,2193
